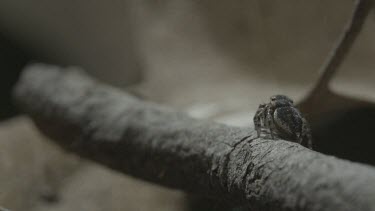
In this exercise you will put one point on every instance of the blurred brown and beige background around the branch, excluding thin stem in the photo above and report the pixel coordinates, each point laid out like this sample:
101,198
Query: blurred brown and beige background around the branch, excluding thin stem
212,59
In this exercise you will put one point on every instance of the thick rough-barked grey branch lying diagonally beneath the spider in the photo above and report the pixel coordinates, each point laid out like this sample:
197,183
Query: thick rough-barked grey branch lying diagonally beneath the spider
169,148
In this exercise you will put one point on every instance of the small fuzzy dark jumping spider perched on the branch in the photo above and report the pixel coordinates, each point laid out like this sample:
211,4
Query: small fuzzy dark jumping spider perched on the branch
281,117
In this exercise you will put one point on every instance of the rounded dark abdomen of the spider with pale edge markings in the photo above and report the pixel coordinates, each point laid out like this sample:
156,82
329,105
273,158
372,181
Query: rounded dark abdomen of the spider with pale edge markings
288,121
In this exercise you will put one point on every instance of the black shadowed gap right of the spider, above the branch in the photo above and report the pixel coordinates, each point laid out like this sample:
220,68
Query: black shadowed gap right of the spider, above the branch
349,135
